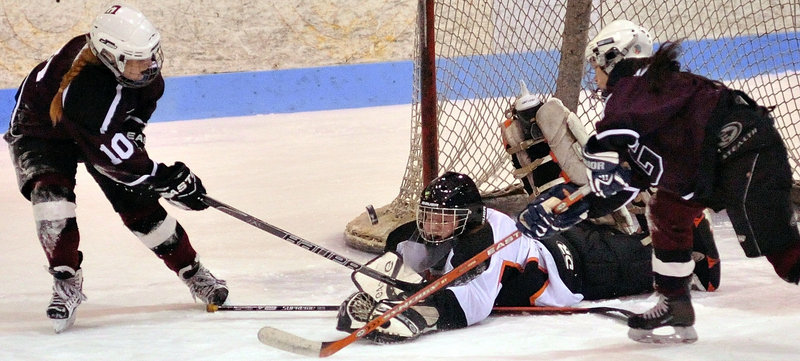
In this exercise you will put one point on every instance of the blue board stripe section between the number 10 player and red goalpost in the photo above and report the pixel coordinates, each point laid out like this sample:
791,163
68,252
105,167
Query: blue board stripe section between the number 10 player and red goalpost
286,91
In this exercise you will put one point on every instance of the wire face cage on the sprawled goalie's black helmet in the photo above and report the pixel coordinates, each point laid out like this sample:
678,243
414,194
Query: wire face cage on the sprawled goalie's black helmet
440,224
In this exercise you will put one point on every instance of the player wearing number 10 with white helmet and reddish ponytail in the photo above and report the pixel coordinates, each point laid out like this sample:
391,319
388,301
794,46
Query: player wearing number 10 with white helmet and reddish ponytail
89,103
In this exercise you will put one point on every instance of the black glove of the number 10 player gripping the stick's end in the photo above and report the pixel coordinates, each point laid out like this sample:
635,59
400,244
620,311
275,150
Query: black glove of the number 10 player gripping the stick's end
180,187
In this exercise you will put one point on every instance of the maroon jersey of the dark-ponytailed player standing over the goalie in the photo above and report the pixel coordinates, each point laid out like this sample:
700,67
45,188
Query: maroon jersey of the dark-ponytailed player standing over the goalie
661,133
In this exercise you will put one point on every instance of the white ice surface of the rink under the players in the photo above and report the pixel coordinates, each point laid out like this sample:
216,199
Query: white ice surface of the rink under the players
311,173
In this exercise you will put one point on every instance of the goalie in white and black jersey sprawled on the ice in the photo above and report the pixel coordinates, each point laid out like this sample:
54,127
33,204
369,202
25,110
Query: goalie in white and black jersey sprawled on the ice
588,262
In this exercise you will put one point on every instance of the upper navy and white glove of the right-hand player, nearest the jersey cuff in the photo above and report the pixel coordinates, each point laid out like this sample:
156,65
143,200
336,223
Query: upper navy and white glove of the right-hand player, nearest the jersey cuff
606,175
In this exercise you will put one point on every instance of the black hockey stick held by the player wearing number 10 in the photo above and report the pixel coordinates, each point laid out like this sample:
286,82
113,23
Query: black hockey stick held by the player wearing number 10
309,246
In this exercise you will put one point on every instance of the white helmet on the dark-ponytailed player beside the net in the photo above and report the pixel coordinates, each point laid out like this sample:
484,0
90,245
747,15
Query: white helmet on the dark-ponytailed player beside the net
620,39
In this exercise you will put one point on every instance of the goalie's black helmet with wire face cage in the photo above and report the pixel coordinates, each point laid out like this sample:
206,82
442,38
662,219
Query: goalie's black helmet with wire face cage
448,206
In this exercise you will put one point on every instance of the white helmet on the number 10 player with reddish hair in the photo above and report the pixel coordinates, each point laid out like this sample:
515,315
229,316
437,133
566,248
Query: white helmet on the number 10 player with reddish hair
123,33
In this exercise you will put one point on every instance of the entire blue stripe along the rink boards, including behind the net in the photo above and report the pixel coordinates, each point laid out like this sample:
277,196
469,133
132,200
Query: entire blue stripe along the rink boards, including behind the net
391,83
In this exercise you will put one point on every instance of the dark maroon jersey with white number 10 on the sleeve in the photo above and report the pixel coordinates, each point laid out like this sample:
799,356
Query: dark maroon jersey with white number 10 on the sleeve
102,117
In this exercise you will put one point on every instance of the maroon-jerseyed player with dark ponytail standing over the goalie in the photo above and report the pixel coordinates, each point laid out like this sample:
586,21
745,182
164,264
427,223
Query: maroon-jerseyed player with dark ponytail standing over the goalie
701,145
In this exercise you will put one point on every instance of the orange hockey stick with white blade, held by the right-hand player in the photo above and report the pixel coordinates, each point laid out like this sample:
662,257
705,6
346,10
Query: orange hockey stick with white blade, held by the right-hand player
292,343
